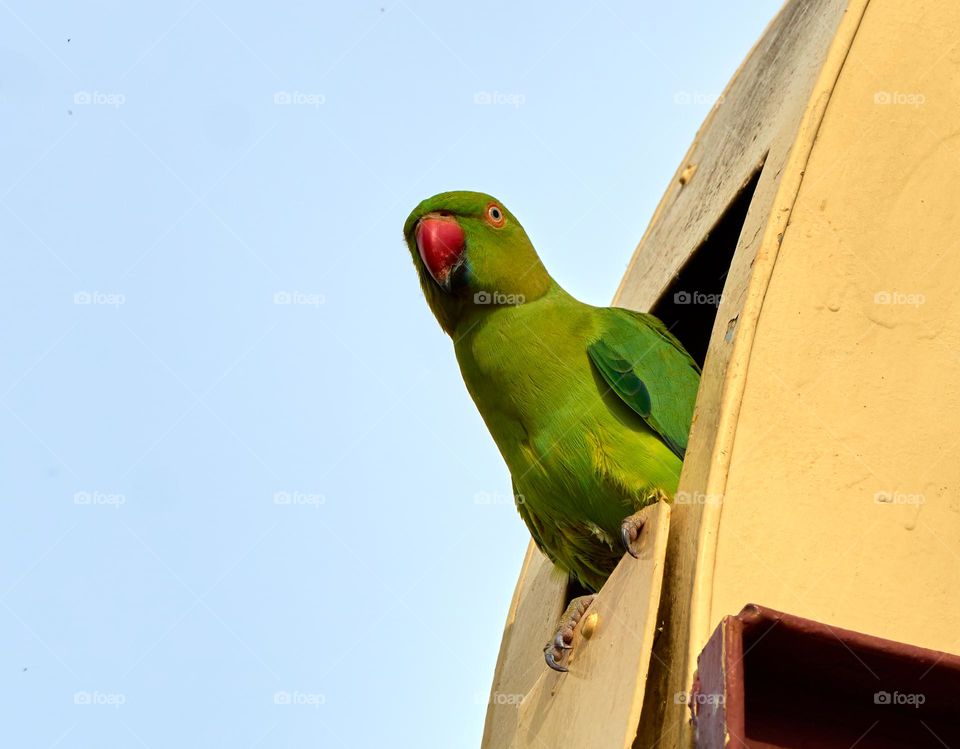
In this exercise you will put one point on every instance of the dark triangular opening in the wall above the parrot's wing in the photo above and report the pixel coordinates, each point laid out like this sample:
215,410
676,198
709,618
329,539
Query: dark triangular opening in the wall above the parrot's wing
689,305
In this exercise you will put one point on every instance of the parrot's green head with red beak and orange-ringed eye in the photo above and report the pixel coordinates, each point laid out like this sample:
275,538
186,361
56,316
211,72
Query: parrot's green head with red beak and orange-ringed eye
472,256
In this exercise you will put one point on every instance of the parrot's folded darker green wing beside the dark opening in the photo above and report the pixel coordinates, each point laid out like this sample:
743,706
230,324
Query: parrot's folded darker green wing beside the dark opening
648,368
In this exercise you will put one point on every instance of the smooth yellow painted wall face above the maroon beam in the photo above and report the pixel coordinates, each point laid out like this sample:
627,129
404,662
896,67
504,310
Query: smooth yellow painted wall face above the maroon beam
853,392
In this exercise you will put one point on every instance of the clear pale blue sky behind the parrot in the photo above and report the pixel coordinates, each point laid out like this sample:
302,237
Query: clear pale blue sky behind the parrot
239,467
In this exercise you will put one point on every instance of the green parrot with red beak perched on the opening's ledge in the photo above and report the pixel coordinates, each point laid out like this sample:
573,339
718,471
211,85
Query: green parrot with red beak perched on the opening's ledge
589,406
